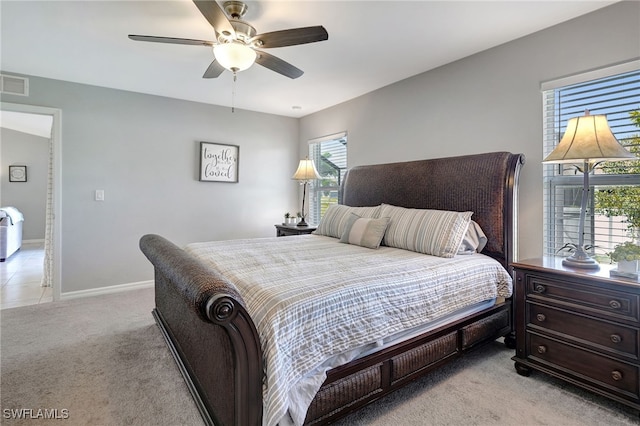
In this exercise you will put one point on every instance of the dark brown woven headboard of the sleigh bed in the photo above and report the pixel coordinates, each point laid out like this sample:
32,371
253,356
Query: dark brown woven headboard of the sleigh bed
485,184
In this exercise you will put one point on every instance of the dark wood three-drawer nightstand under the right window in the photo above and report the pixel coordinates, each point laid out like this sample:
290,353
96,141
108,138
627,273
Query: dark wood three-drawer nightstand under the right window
582,326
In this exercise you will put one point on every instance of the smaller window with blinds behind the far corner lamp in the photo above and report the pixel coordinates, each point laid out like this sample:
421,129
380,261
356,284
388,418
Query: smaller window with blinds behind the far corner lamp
330,157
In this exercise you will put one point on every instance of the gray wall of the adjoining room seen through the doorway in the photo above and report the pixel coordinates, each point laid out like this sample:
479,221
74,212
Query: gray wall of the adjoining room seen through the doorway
30,196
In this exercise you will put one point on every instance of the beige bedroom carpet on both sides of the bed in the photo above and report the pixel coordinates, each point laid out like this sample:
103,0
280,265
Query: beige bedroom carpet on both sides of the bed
102,361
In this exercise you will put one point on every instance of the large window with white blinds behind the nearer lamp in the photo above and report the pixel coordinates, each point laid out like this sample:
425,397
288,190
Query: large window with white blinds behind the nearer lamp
613,210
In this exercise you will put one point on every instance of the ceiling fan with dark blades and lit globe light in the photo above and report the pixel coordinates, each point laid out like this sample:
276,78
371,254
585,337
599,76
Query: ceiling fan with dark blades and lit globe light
236,46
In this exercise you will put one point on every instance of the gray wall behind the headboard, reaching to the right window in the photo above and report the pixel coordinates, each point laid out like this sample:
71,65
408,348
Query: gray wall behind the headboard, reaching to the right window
490,101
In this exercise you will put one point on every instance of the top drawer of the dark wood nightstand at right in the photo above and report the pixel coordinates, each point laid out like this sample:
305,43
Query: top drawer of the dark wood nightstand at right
603,302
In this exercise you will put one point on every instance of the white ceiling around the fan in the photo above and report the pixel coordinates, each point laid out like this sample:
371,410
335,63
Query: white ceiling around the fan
371,44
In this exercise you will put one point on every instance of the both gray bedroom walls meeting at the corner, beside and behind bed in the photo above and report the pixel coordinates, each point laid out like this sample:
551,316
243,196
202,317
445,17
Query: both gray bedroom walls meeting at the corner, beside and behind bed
143,150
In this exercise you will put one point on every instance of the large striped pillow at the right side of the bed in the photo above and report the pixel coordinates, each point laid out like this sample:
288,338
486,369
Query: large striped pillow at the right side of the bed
434,232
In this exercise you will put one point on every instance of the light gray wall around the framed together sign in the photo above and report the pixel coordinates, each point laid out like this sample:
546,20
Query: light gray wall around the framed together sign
143,152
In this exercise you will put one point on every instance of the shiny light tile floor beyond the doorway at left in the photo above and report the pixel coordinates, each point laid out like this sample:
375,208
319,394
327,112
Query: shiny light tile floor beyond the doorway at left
20,277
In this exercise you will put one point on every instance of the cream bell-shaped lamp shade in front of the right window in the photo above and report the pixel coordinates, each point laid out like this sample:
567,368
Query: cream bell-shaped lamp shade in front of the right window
588,138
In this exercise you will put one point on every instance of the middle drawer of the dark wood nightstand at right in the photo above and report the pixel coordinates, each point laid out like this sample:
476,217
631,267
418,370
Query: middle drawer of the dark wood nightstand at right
615,338
